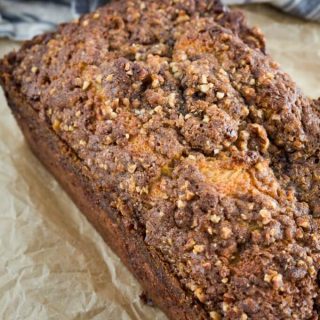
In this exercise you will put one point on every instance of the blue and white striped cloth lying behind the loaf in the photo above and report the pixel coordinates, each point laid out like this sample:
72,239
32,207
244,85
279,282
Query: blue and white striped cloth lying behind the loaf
22,19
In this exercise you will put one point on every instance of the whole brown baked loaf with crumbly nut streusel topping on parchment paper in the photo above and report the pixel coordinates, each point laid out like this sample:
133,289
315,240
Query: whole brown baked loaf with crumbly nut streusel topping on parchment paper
190,151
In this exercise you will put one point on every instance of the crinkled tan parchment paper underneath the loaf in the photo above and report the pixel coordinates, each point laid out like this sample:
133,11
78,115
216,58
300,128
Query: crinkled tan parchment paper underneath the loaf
53,264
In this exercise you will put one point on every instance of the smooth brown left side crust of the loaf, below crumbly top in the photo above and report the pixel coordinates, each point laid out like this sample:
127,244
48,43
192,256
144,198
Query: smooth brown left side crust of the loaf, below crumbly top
143,262
